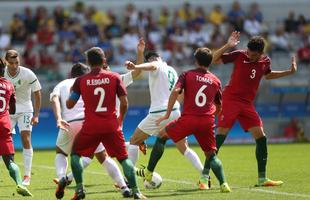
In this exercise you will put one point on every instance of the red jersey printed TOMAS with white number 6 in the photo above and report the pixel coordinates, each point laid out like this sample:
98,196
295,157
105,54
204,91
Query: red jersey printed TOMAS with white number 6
201,90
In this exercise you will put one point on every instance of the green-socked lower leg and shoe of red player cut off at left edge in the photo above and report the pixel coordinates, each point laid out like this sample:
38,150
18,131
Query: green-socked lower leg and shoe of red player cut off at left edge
15,174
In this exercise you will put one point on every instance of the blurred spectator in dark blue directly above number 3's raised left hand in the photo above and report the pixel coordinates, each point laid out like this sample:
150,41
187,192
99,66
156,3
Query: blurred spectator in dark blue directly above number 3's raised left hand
236,16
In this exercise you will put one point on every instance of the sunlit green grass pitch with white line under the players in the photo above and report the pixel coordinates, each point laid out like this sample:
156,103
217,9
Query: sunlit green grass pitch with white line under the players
287,162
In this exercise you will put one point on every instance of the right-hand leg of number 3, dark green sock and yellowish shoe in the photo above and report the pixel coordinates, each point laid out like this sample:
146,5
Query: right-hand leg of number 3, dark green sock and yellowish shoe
261,157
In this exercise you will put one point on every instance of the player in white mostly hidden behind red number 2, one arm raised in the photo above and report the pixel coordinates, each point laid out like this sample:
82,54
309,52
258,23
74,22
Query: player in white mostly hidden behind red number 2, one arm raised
70,122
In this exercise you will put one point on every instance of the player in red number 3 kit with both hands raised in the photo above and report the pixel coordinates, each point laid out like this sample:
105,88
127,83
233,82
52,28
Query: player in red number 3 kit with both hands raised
250,66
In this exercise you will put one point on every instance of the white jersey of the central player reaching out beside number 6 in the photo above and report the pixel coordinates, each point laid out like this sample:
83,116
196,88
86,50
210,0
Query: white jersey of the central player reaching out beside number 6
161,82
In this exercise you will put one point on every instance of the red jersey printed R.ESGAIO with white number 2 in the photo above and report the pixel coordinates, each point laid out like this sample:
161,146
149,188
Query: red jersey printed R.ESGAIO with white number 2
98,90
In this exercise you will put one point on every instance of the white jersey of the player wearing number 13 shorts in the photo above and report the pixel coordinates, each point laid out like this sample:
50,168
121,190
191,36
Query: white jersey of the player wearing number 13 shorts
25,82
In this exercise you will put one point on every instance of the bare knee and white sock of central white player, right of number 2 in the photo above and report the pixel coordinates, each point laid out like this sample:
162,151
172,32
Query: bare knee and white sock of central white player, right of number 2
136,139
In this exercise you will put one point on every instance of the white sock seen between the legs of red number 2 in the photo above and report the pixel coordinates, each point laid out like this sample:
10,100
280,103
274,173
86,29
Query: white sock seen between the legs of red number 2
114,171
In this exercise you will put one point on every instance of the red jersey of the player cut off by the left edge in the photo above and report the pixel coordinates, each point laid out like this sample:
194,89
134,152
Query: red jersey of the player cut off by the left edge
7,96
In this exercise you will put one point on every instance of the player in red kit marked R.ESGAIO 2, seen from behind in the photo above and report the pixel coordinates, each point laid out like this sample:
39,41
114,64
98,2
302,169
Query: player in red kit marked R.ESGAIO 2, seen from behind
98,90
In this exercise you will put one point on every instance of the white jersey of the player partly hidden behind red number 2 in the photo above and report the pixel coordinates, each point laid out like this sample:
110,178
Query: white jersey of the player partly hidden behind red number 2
62,90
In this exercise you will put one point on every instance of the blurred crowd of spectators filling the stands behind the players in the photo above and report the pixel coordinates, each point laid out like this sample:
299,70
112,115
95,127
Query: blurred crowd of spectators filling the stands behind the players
50,38
